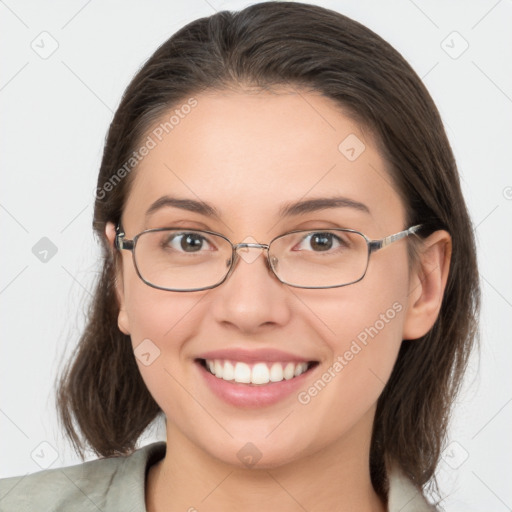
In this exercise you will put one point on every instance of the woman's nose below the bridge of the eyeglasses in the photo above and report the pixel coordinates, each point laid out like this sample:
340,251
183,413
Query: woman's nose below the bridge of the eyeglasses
251,297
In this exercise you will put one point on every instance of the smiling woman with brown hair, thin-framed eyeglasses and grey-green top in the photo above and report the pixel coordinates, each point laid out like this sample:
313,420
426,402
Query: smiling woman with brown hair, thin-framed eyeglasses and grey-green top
289,277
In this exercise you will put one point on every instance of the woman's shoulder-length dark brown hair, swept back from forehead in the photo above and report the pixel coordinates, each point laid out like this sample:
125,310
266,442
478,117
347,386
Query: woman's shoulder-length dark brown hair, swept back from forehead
102,399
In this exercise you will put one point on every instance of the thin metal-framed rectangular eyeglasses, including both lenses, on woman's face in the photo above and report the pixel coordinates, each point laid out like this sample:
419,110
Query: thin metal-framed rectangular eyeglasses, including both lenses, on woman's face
187,260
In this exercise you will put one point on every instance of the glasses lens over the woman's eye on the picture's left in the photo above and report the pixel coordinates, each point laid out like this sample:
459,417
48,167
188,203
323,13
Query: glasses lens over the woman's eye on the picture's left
182,259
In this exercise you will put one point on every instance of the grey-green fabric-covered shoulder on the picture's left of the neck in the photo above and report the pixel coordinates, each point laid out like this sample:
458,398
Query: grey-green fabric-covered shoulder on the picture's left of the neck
107,484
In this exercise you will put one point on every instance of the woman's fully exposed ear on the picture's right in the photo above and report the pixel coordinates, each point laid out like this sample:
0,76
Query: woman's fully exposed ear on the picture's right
427,284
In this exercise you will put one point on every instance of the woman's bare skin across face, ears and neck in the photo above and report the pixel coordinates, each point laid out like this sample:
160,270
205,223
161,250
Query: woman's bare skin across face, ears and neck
247,154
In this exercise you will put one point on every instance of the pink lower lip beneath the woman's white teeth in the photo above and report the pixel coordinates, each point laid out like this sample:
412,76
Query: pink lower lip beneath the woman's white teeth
250,395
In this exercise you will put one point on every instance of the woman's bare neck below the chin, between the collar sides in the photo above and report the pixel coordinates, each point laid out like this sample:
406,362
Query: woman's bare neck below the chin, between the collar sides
336,478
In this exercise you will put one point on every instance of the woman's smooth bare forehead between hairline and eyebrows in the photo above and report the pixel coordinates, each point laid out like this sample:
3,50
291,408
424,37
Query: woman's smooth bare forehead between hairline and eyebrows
248,153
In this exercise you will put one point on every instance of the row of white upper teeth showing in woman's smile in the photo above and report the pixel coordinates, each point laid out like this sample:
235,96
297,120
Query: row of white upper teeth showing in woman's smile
256,373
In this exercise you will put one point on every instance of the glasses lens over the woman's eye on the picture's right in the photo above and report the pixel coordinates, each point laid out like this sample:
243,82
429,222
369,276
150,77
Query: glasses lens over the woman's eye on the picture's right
320,258
